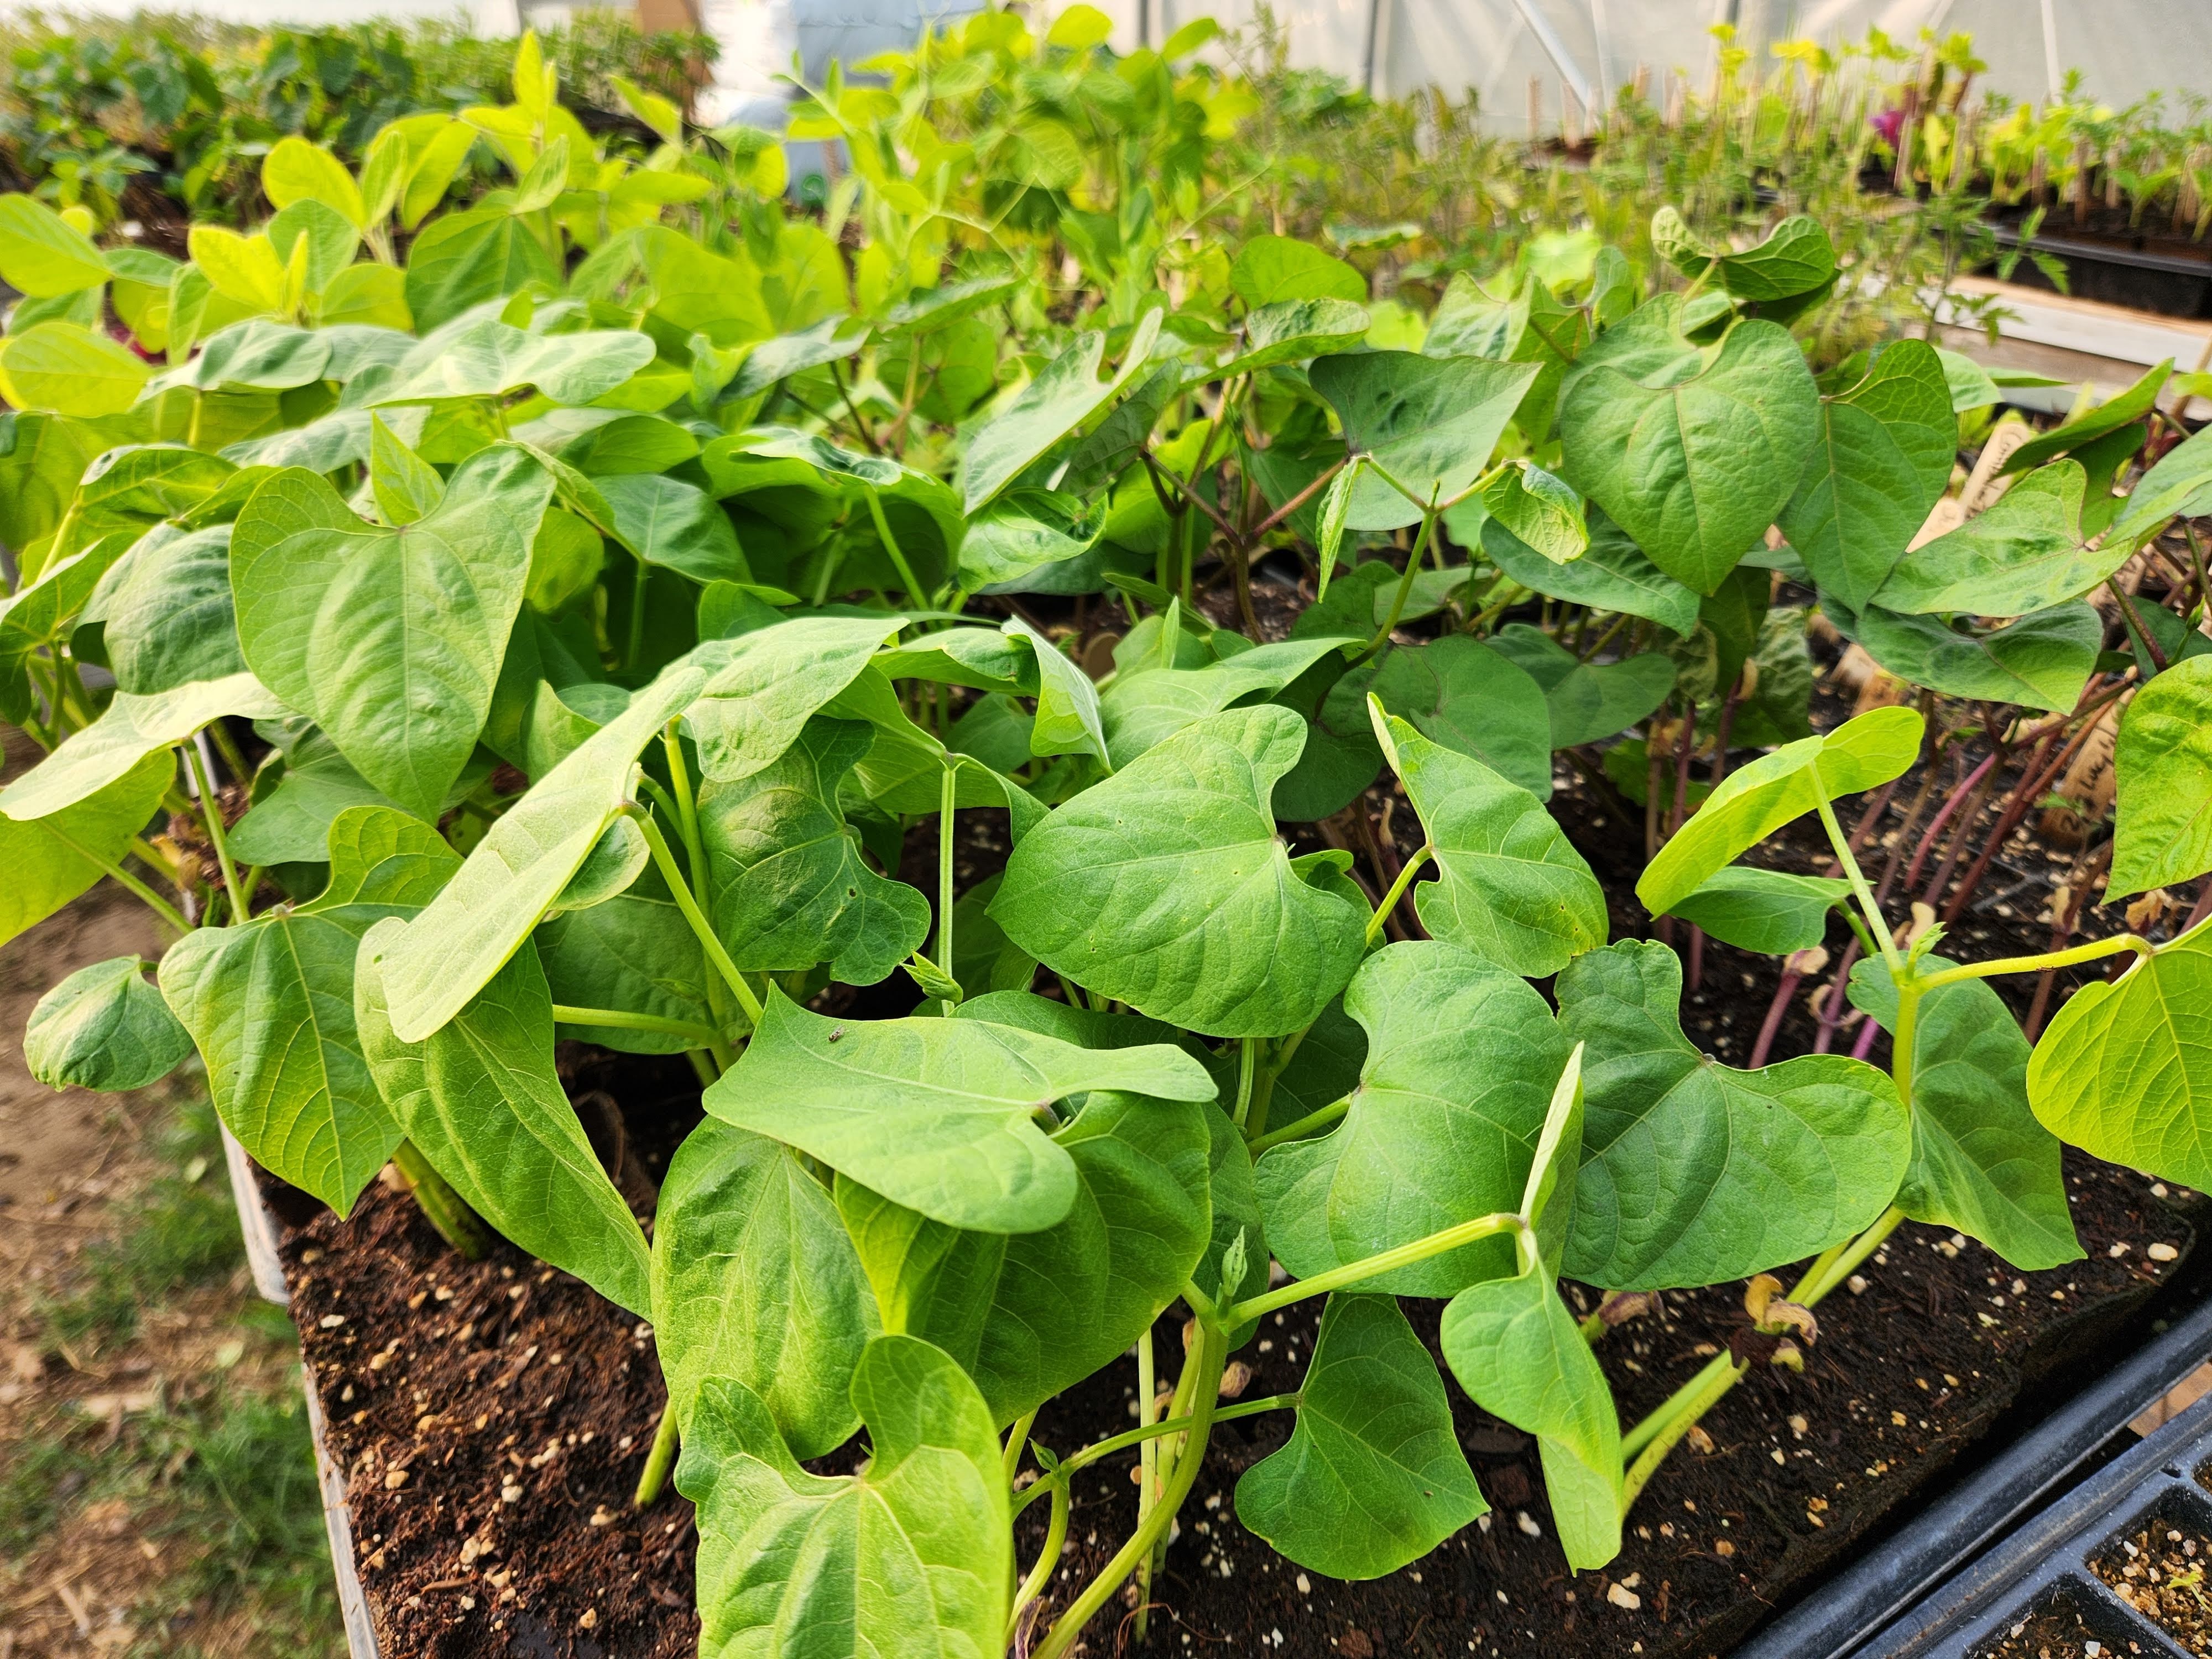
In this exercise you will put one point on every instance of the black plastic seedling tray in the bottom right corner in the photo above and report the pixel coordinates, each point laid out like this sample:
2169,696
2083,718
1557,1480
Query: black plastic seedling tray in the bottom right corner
2018,1541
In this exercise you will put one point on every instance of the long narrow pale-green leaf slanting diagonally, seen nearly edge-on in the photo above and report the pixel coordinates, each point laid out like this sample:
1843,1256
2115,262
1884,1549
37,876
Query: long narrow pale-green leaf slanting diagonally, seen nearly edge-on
523,864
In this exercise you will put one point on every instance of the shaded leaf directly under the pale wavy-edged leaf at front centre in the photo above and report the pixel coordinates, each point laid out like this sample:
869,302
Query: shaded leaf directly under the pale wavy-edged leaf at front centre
1036,1313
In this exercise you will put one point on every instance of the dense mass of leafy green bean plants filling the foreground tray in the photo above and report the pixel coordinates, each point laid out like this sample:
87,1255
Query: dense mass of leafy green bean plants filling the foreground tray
585,629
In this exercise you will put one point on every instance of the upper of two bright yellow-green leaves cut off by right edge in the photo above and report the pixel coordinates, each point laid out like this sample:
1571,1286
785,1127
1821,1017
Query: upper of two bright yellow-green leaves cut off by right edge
2164,762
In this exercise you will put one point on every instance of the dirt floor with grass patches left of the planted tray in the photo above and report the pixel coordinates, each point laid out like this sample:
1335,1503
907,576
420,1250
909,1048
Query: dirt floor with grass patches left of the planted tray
156,1474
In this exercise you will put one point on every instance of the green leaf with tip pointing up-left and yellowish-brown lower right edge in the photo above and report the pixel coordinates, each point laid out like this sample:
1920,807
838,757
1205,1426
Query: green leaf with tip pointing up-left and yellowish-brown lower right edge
1510,886
